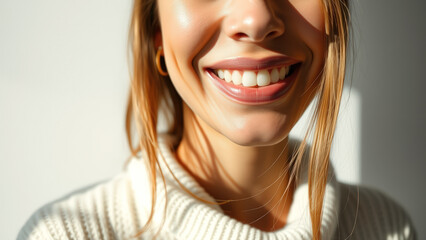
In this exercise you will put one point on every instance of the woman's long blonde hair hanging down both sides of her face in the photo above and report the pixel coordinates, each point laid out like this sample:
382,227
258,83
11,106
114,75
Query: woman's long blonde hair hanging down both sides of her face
149,90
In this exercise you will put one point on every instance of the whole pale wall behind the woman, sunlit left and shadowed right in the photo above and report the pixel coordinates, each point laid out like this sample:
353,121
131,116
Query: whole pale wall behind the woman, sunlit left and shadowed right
64,82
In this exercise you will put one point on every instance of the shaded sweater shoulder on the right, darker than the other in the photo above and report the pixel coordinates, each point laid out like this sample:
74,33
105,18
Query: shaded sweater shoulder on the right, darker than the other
366,213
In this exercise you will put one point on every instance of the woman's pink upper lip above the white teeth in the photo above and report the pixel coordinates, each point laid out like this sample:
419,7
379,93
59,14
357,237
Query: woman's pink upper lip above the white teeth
243,63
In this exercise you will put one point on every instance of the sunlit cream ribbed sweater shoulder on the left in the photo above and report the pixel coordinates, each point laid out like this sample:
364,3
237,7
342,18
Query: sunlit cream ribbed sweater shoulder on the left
102,211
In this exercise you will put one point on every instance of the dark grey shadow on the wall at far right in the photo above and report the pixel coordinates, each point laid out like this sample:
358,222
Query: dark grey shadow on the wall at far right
390,54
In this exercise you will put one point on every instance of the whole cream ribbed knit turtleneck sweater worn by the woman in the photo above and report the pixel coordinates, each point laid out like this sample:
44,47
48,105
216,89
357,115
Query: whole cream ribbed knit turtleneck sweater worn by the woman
118,209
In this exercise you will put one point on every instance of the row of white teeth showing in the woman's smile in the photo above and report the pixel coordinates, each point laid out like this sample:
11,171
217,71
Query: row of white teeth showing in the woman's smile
252,78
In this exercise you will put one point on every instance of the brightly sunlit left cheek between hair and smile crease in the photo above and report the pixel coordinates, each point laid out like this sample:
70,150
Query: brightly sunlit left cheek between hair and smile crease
185,29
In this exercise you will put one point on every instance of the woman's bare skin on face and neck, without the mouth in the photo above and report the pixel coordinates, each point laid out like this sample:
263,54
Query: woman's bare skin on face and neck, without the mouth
238,151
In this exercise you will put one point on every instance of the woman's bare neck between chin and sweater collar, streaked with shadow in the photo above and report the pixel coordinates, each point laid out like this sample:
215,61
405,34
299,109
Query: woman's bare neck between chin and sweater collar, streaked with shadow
254,179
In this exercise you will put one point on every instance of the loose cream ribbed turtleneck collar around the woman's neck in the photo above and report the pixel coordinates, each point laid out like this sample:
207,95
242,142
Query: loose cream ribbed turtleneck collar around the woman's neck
189,218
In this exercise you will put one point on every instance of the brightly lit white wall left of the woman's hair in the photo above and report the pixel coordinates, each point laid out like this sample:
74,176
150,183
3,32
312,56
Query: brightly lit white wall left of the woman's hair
63,89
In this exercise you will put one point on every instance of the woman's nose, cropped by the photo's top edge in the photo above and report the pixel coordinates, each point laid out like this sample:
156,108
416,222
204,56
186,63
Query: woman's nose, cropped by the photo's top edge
252,21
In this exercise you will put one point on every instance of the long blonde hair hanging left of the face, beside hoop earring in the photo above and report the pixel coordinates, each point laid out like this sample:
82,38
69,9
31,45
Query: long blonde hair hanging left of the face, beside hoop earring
148,91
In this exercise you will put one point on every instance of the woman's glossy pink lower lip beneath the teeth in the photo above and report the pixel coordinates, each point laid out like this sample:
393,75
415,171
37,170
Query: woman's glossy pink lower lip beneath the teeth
255,95
